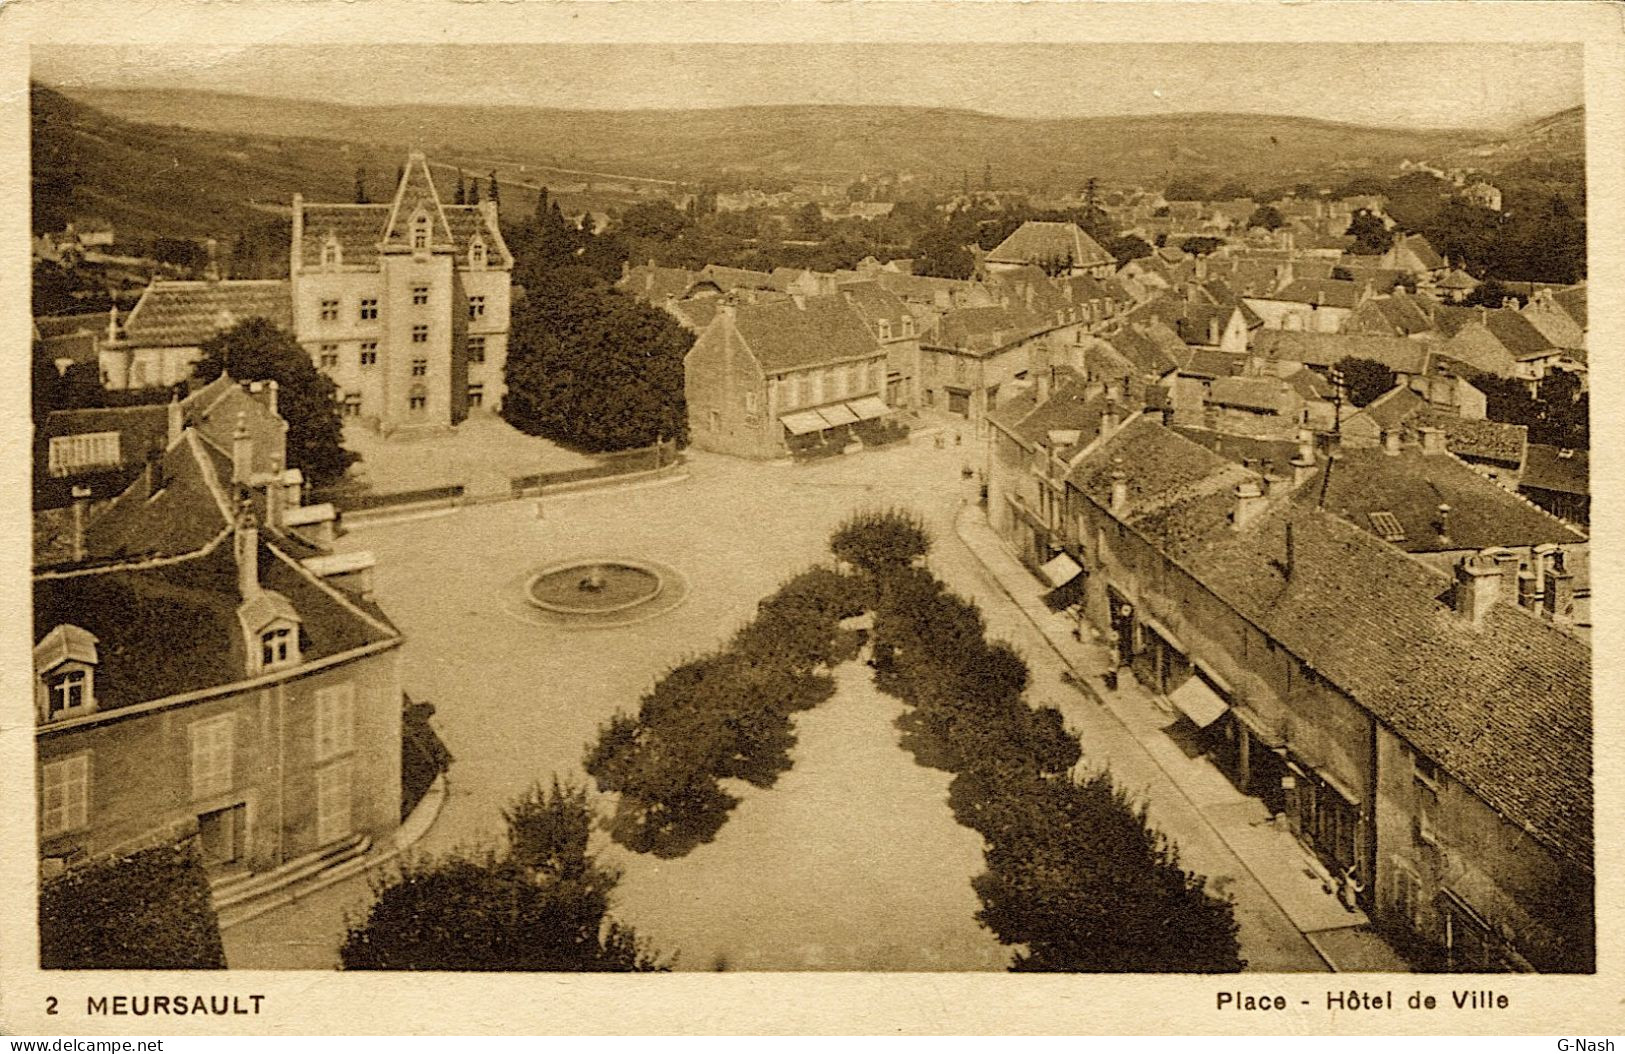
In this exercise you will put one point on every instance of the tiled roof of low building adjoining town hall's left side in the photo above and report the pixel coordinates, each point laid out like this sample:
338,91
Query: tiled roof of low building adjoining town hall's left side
186,314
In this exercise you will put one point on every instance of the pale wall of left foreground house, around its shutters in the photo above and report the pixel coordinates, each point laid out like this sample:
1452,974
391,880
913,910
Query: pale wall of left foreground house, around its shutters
141,767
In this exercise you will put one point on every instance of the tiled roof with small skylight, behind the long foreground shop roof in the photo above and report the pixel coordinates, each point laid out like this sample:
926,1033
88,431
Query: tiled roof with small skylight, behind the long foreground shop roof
1413,486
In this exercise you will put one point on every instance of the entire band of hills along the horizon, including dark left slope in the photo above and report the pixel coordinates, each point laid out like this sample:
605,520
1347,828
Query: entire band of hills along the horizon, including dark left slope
191,163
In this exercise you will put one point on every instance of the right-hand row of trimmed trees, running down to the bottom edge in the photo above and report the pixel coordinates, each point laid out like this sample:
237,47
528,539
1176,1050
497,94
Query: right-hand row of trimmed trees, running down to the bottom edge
1077,879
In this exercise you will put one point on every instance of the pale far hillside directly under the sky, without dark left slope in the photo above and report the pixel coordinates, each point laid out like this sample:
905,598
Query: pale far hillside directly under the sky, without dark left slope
821,142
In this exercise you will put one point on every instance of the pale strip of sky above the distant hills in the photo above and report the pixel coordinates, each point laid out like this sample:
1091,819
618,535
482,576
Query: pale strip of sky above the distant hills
1411,85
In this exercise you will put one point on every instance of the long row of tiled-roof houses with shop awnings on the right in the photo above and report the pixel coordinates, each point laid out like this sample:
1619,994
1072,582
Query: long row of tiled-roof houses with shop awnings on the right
1379,644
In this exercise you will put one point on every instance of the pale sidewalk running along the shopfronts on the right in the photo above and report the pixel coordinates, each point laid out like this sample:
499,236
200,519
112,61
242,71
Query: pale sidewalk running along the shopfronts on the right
1270,855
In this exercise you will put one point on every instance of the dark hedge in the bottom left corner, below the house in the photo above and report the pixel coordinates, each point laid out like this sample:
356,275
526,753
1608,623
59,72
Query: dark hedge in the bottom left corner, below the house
150,910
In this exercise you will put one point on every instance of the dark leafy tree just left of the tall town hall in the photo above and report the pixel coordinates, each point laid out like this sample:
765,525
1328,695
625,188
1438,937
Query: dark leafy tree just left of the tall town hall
306,399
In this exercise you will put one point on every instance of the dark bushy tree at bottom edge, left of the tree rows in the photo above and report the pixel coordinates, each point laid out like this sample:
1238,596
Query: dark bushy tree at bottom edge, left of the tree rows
540,907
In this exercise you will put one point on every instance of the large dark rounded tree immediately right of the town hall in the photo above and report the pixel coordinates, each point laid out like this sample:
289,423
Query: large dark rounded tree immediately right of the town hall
596,369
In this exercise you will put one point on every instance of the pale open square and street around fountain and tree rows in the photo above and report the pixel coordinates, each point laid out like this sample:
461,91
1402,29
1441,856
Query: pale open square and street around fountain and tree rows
519,702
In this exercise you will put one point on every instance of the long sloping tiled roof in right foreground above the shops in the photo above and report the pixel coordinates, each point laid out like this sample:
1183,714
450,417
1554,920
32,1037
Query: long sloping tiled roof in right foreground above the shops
1504,707
